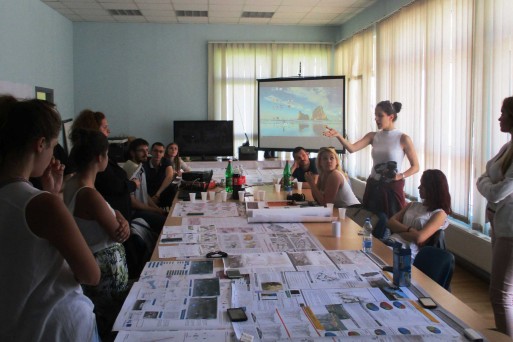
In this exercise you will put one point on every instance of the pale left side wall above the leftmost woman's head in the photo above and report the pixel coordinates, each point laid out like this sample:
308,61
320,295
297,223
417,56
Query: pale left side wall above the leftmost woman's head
37,49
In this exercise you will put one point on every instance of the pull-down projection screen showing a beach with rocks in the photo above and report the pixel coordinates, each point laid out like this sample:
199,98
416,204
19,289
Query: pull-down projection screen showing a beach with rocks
295,111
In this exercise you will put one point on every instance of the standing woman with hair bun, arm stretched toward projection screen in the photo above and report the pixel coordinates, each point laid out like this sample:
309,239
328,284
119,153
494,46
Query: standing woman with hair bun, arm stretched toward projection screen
384,191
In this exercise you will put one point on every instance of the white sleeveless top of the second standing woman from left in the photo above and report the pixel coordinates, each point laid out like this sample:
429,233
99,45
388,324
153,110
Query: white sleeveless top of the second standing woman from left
95,235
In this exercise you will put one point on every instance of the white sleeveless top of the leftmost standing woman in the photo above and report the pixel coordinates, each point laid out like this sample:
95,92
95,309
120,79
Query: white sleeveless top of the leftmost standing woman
41,300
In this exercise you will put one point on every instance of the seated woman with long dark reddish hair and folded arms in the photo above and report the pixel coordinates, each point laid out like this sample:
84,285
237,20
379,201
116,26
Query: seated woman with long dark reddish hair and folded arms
418,221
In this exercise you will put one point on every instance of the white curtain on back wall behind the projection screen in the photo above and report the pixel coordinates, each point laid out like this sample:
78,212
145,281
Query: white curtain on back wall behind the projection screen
235,67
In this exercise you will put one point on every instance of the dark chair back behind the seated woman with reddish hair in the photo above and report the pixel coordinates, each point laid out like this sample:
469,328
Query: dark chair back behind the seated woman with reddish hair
437,264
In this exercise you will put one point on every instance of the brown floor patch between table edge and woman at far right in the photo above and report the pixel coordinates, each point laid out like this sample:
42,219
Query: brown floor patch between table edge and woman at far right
473,291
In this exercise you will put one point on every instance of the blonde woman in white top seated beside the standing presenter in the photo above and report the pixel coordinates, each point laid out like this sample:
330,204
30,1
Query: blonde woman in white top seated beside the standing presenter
332,185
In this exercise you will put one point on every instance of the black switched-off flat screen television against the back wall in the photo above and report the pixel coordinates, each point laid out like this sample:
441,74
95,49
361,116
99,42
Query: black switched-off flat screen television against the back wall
204,139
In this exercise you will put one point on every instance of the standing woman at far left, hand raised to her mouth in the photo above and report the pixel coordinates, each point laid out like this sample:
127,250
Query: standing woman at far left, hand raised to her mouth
44,256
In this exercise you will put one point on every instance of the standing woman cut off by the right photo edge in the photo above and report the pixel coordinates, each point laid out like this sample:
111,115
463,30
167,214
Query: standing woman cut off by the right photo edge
496,185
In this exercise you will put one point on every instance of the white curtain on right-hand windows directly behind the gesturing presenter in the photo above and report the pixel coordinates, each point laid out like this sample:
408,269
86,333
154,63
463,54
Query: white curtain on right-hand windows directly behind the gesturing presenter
424,58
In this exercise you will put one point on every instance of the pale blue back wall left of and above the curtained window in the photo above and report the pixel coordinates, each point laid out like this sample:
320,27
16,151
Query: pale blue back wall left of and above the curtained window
144,76
